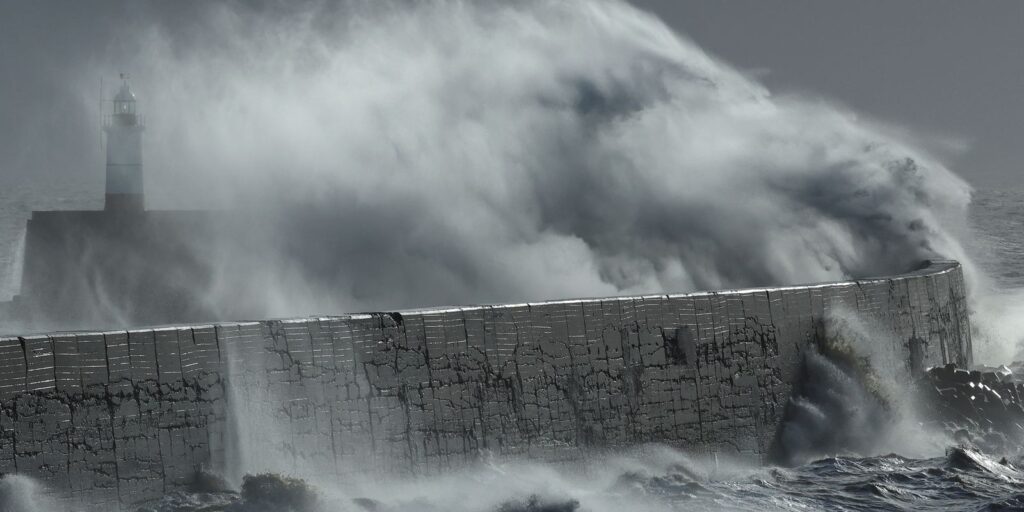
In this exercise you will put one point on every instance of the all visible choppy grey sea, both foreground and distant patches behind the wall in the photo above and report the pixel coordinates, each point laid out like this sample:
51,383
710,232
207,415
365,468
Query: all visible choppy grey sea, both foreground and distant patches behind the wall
943,477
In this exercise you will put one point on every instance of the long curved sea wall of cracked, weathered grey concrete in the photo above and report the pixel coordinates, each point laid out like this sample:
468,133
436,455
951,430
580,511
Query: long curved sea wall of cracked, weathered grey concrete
121,417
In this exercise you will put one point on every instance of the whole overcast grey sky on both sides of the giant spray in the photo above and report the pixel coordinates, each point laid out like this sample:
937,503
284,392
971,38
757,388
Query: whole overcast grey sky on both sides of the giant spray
951,70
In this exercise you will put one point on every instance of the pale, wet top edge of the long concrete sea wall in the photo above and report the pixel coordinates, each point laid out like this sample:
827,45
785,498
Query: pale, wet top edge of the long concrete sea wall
930,268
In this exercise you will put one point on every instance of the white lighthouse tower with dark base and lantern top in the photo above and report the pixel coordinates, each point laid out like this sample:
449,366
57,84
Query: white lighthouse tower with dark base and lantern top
124,153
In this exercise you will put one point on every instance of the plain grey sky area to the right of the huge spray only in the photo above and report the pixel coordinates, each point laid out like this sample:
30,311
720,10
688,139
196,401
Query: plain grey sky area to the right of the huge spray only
948,68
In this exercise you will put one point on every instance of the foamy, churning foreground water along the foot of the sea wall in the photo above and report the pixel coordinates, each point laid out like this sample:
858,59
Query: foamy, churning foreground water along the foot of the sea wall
666,481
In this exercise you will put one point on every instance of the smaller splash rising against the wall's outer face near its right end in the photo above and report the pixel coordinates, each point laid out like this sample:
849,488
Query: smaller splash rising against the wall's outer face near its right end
856,397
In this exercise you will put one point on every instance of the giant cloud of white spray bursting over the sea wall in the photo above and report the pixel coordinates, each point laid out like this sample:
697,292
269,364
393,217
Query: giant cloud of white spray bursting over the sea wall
395,155
